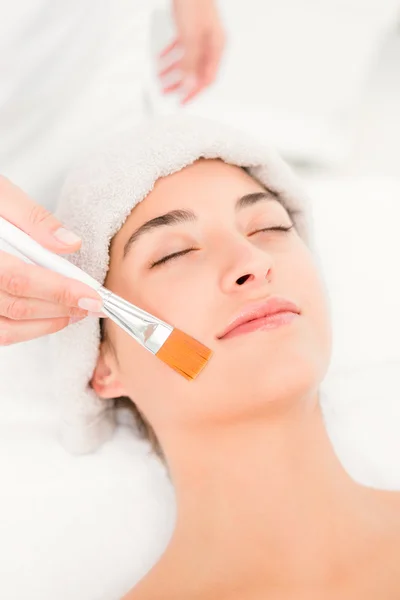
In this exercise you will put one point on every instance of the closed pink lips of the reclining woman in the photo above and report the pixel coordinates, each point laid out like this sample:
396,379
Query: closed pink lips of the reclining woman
270,314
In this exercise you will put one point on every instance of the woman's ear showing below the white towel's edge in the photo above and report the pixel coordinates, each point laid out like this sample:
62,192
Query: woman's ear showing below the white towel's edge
106,380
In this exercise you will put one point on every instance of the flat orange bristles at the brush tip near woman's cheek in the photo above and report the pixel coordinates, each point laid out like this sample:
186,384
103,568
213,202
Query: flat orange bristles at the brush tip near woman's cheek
184,354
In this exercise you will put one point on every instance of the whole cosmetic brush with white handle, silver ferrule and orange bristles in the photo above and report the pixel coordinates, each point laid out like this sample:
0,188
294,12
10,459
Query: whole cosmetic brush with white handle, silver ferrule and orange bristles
175,348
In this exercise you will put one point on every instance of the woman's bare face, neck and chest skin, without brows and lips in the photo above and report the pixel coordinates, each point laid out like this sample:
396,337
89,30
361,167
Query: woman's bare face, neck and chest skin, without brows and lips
265,509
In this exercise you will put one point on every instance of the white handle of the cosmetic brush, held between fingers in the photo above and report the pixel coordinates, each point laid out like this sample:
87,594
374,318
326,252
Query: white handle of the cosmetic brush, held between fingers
22,242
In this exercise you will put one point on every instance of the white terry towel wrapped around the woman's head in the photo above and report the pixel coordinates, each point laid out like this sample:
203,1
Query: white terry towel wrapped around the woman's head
96,200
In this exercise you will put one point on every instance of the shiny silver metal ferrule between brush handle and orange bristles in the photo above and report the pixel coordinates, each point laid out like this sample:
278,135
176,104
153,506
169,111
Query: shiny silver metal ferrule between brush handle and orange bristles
145,328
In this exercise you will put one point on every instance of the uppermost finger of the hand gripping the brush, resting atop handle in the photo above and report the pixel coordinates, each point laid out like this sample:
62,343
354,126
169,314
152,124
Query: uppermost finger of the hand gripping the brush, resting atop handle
20,210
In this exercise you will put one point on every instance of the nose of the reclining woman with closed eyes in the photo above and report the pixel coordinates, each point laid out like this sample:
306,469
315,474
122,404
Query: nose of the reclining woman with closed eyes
246,265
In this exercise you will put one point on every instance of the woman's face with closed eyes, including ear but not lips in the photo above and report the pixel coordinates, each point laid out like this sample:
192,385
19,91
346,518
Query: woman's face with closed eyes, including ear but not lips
208,242
